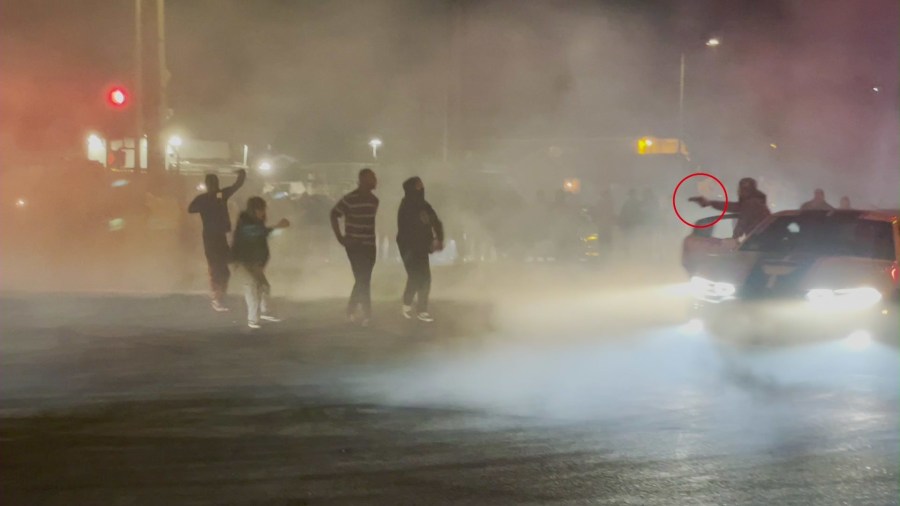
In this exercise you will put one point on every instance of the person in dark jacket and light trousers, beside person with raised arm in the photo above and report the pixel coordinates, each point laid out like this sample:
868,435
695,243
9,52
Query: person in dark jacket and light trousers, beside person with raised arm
251,252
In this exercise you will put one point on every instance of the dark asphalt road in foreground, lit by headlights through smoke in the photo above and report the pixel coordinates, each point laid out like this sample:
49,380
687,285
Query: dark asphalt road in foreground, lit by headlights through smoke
155,400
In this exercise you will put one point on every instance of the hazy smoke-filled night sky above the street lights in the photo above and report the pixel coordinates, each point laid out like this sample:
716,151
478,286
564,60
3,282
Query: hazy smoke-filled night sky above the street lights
316,78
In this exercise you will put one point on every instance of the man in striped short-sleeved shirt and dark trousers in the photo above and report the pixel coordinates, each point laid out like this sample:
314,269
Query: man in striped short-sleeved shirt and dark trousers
358,209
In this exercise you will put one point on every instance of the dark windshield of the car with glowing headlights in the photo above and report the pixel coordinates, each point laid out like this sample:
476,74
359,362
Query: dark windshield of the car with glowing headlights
825,234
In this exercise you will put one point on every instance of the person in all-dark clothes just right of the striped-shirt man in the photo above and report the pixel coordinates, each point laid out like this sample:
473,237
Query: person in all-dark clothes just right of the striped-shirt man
419,233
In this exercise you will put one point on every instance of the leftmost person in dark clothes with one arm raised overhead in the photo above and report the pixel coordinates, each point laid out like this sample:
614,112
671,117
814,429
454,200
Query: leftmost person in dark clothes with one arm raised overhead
213,209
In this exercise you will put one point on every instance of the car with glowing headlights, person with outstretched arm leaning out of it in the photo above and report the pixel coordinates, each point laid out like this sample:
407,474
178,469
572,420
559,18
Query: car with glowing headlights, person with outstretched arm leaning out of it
800,276
